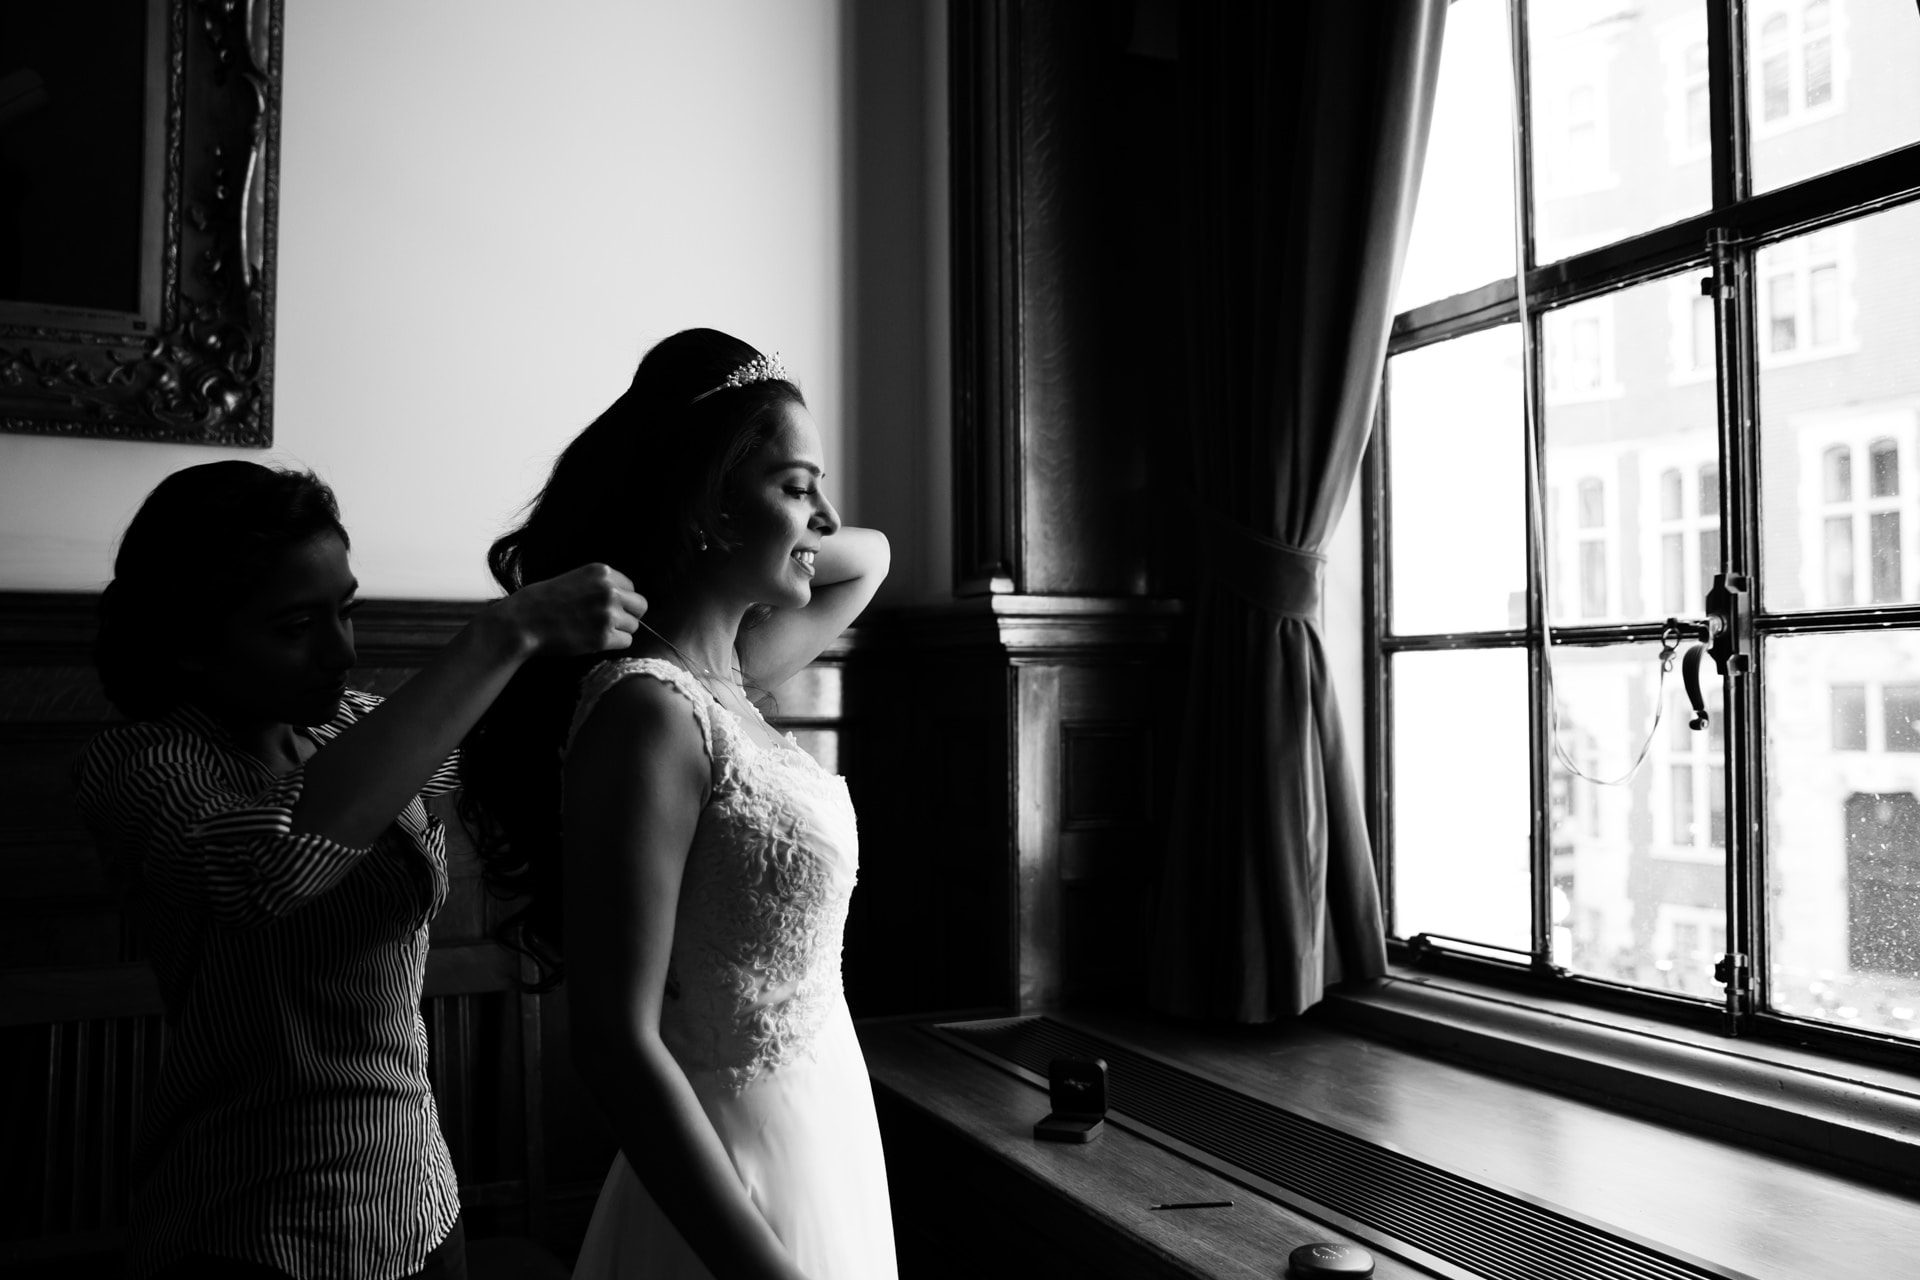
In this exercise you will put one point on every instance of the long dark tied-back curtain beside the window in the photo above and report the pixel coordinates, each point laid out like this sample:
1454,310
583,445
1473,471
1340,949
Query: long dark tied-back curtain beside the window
1303,133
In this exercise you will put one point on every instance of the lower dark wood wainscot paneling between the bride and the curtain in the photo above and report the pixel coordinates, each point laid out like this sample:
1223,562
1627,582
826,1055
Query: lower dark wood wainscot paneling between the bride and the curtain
982,888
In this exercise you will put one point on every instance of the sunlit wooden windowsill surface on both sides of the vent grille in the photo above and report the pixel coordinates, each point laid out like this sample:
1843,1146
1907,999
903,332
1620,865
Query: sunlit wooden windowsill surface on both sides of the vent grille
1758,1214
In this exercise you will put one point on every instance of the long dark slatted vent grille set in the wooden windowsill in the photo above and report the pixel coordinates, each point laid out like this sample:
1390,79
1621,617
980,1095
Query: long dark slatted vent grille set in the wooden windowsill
1466,1227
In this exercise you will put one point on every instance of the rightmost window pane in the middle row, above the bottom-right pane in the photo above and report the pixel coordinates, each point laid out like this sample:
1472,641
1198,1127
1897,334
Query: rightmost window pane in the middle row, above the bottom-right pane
1848,402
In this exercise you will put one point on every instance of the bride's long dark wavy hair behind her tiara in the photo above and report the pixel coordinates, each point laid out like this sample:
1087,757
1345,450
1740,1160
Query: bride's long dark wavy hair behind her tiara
635,490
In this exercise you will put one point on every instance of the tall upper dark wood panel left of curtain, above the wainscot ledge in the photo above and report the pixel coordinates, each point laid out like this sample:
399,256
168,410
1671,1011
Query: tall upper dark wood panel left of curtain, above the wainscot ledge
1065,304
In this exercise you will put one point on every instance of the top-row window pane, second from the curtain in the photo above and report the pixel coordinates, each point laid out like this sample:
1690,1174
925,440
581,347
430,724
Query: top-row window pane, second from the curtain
1616,122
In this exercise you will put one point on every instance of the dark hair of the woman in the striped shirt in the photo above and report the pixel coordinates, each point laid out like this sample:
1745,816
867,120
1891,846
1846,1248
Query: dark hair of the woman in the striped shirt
203,540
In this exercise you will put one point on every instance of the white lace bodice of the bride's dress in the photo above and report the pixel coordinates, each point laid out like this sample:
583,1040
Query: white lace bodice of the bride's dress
763,901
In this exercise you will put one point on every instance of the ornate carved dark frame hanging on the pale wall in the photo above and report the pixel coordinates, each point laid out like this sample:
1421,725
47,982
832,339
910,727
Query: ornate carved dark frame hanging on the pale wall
195,364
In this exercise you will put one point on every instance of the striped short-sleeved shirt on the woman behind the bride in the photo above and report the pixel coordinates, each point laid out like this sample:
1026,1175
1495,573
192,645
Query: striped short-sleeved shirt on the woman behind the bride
293,1122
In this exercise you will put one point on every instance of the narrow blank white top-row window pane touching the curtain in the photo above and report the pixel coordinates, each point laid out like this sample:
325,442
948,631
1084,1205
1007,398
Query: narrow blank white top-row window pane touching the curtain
1464,222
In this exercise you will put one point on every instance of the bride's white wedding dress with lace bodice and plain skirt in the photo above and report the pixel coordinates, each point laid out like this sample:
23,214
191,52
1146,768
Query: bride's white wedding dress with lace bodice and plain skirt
756,1014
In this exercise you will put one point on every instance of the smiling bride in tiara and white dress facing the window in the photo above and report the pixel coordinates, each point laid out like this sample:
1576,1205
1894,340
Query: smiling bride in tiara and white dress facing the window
690,865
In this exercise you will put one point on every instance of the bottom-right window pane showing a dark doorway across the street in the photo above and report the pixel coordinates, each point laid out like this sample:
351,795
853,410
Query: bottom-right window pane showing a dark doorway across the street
1844,830
